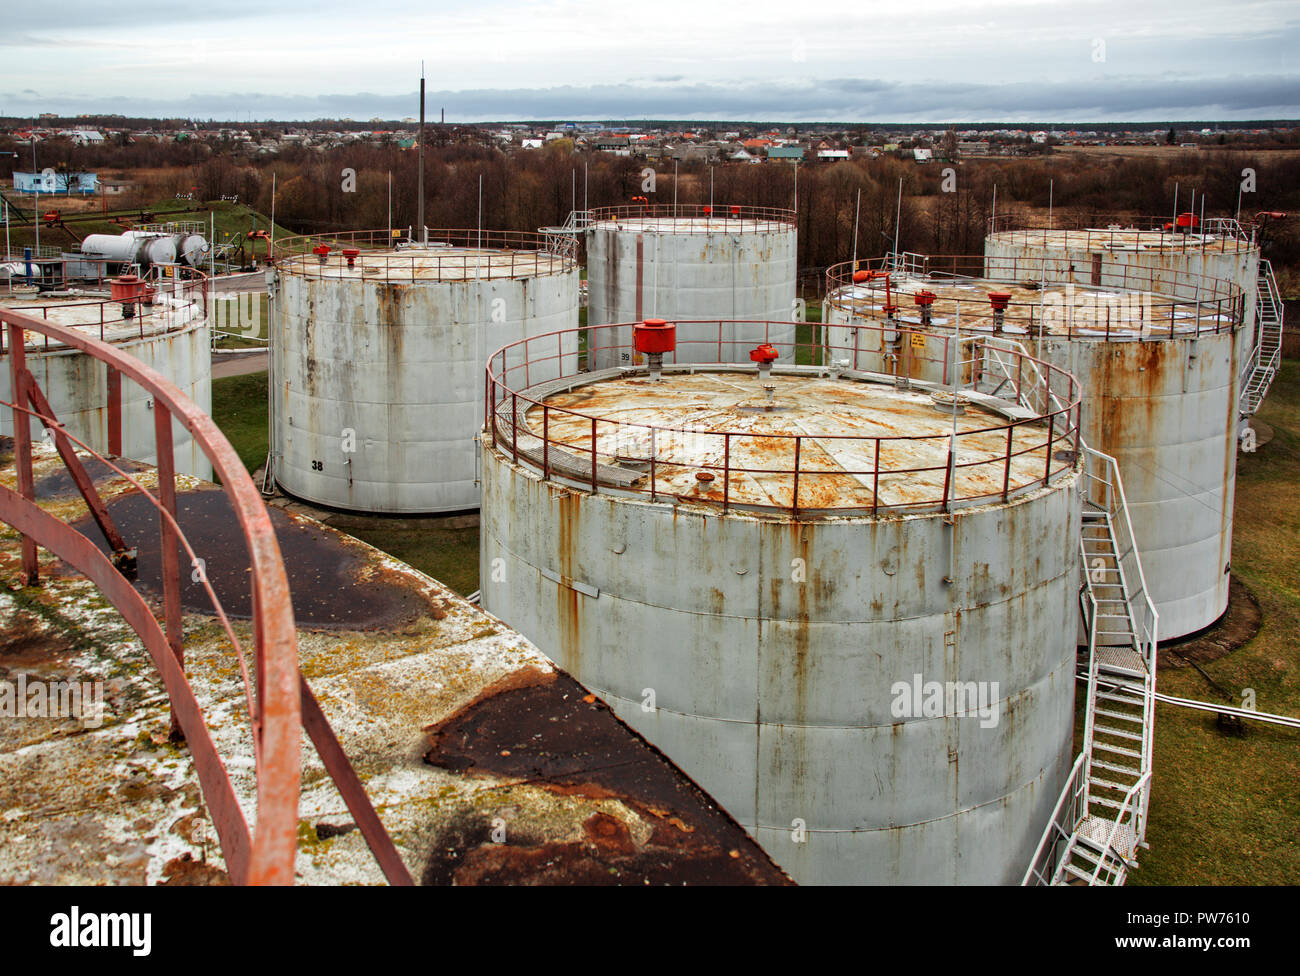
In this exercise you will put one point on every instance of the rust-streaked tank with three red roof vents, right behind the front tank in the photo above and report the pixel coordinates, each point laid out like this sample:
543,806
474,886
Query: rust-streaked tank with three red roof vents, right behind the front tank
1160,392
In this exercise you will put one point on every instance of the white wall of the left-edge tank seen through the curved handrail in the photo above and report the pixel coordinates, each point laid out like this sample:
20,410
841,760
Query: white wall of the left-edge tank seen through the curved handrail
77,387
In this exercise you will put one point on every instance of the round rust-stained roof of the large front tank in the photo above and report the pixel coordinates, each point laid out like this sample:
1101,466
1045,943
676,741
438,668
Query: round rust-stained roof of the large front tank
863,445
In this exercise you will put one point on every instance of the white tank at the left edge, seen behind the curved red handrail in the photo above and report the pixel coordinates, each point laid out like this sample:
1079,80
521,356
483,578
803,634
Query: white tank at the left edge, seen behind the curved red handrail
171,333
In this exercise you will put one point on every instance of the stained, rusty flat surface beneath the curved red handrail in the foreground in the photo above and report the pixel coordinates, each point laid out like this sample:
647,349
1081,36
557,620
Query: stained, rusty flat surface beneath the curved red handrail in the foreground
486,762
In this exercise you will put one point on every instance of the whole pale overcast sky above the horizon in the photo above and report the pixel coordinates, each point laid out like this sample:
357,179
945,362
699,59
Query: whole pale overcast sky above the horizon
905,62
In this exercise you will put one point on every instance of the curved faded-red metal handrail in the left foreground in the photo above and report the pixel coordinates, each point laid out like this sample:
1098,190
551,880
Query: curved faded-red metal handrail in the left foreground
268,856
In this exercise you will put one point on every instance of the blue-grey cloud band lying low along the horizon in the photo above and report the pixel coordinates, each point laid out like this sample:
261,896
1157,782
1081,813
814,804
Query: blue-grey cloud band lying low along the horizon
842,99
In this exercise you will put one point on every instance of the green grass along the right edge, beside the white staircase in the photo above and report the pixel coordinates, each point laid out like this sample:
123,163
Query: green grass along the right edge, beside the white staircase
1227,810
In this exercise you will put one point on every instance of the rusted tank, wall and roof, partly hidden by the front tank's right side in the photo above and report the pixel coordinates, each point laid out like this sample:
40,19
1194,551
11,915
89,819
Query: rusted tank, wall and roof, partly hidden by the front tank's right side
1162,401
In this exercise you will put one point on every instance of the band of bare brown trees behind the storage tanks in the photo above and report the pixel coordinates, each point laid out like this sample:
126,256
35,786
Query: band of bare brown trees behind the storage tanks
944,209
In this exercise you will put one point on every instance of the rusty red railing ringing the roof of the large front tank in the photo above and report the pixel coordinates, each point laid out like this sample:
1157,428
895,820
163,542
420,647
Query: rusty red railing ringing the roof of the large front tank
515,376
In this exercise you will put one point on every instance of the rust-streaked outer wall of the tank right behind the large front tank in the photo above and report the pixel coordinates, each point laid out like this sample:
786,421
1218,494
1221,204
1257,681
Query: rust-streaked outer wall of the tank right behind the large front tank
1165,409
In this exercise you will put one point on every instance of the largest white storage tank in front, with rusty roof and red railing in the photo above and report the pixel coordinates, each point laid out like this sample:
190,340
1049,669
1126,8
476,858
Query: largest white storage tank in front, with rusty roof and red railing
790,593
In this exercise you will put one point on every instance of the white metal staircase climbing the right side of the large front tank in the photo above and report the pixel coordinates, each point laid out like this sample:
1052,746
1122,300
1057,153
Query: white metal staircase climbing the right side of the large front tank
1100,819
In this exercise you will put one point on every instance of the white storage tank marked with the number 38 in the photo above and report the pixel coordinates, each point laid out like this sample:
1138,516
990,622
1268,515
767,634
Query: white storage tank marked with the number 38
378,355
